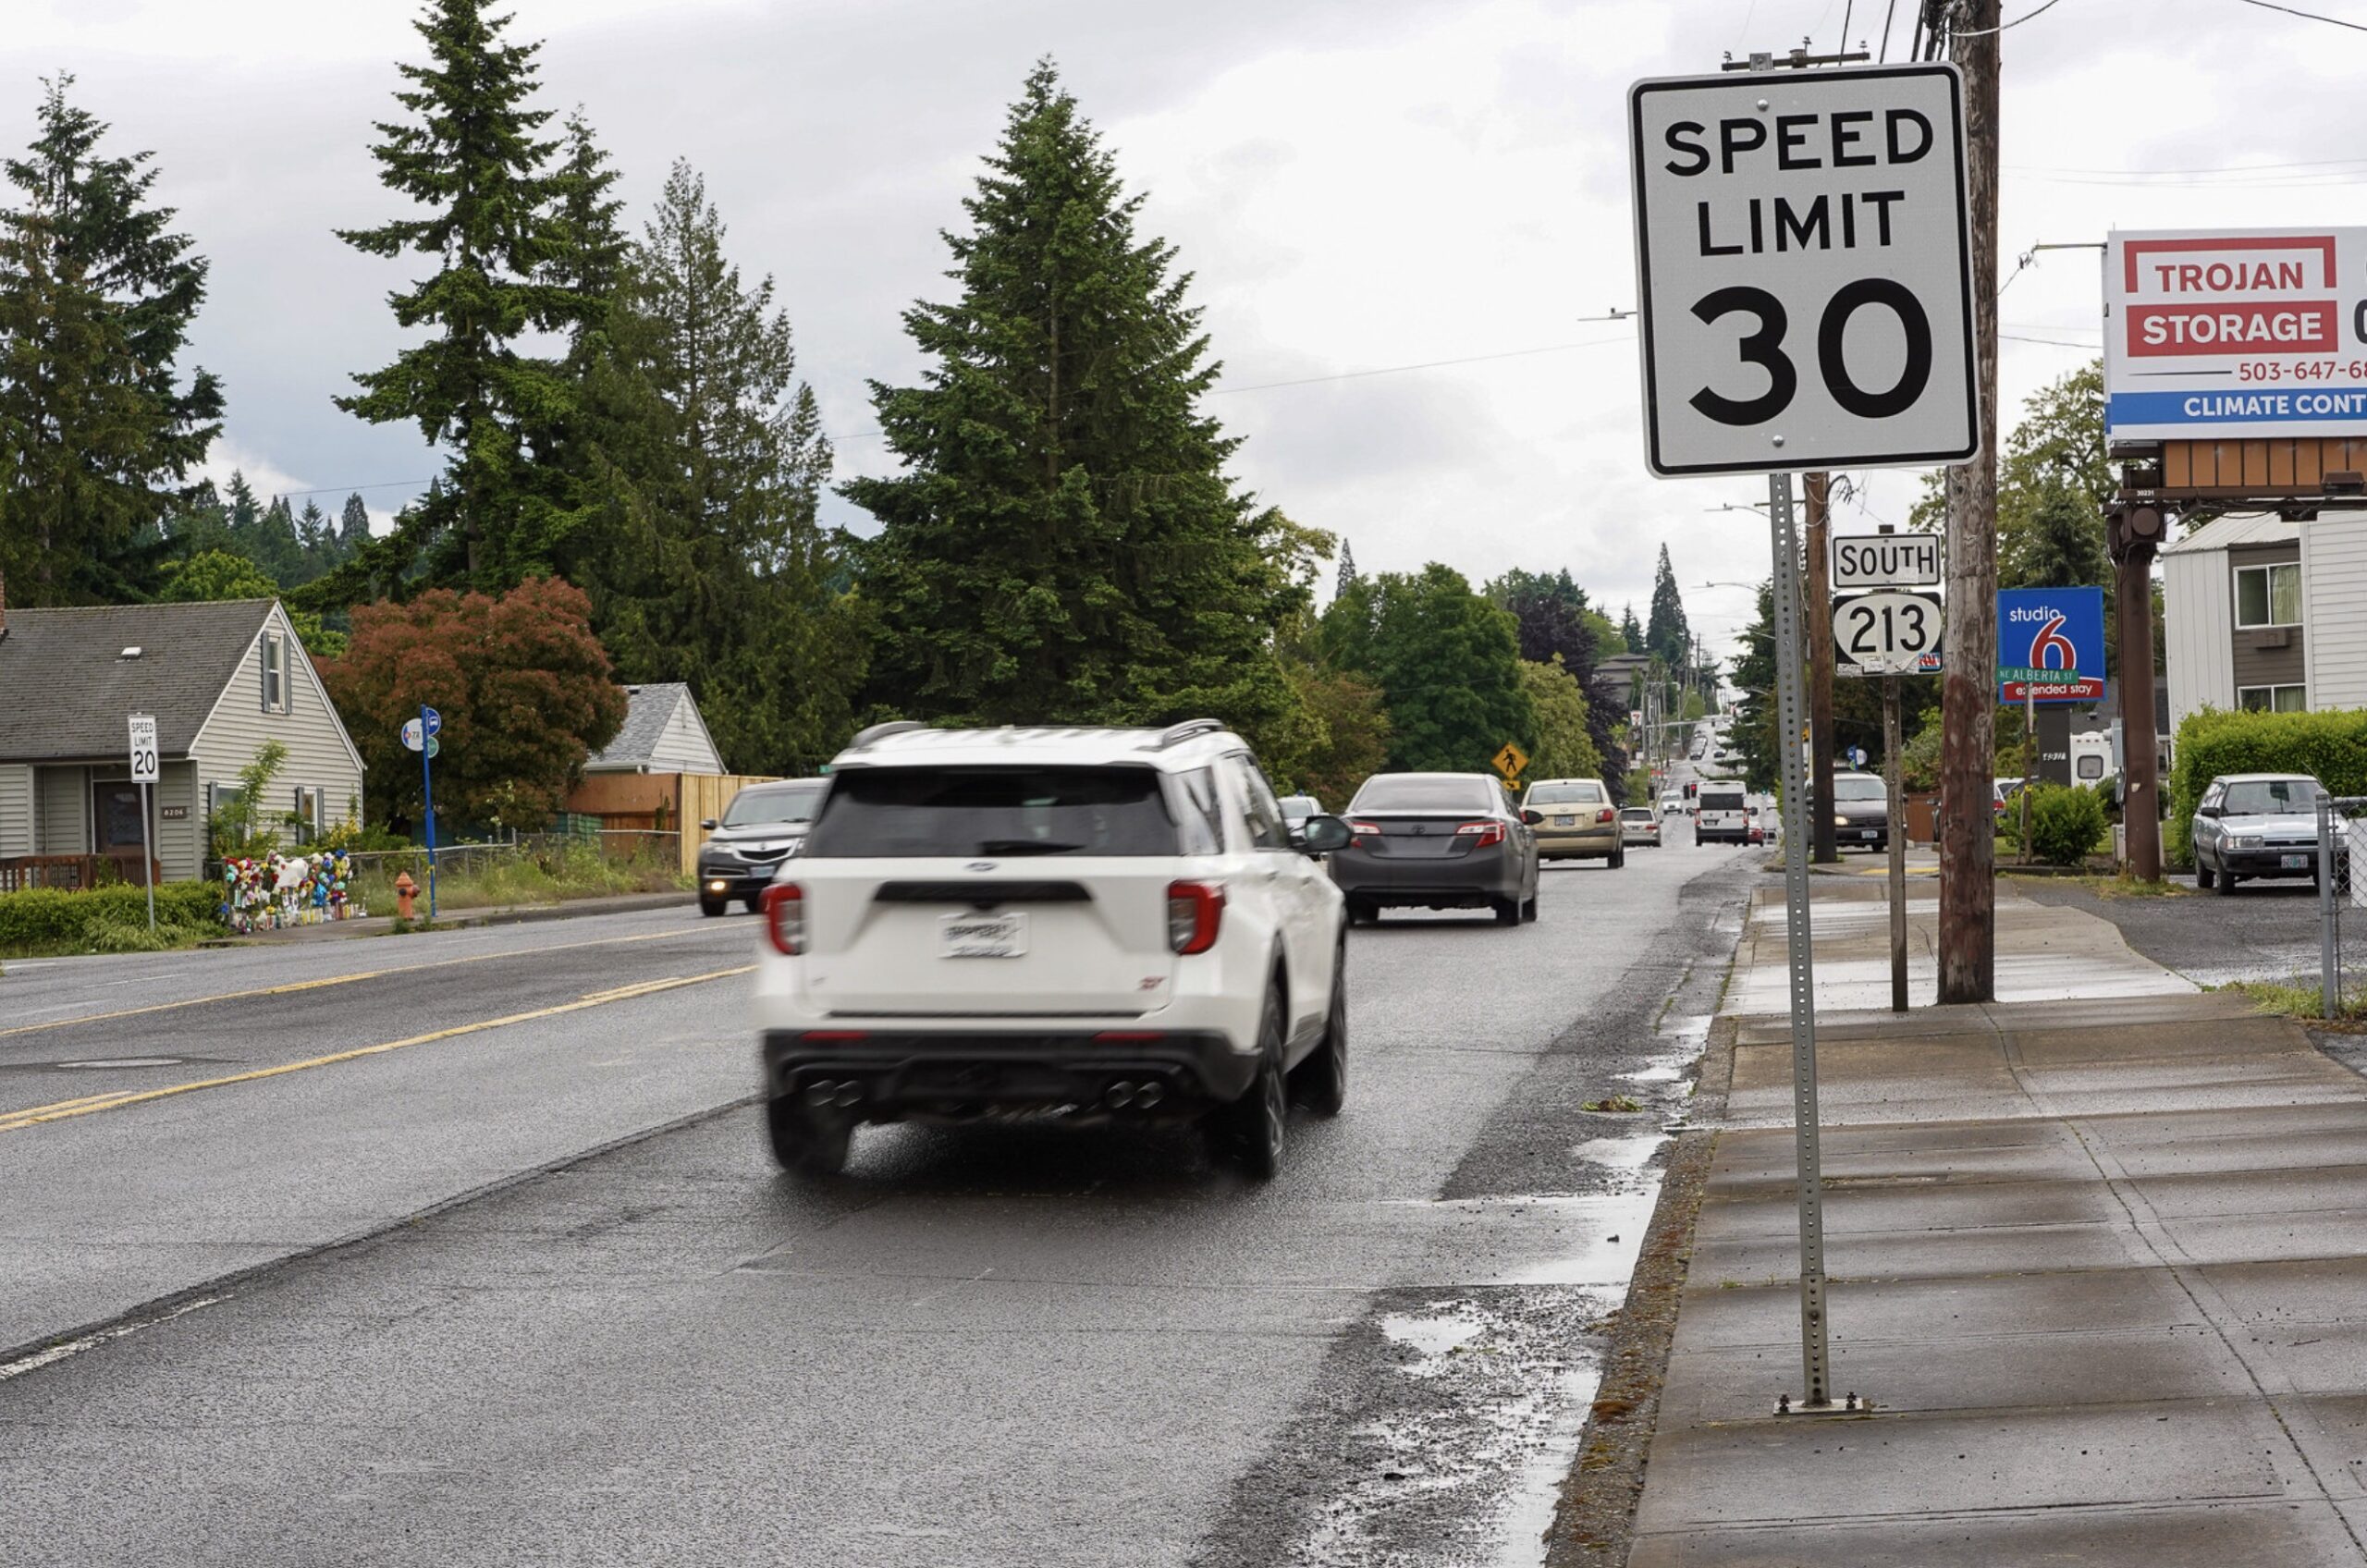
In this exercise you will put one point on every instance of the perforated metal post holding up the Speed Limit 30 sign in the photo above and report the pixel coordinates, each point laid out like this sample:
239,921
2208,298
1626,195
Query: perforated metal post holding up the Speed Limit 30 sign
1791,714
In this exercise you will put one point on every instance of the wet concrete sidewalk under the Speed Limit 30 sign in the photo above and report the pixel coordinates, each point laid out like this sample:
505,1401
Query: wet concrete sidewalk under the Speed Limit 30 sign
2101,1264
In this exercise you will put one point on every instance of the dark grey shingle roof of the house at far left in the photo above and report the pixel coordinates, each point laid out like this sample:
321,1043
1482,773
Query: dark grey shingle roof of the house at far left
70,686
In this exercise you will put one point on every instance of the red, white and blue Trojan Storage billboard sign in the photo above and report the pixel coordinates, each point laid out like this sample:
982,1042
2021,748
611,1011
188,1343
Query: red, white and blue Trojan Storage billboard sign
2236,333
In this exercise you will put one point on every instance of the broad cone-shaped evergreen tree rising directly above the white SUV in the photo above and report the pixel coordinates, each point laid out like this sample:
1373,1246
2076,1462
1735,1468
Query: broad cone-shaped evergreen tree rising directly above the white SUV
1064,544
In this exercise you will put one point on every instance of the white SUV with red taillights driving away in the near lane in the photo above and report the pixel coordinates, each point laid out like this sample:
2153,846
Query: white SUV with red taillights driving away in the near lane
1081,925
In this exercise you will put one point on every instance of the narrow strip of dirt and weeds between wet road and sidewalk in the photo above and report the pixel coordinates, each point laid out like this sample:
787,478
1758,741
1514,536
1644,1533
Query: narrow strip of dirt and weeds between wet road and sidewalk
1597,1519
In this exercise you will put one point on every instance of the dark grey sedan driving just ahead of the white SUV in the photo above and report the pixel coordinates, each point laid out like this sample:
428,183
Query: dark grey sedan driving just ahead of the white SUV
1438,842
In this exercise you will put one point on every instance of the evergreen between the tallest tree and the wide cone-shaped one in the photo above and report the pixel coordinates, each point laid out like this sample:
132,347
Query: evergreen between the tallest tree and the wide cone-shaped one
707,558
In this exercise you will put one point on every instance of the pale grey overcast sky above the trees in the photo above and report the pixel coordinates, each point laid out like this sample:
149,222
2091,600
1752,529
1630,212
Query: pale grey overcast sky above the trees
1357,184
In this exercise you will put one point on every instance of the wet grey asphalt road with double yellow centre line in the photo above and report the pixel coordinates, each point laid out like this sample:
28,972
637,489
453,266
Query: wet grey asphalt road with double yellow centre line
524,1290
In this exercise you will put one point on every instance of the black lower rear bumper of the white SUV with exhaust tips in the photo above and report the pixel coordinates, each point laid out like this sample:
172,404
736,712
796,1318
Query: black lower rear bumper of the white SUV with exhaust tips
979,1077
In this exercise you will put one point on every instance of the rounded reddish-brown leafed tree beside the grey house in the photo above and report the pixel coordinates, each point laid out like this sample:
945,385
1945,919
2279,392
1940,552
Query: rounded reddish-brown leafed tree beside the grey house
520,681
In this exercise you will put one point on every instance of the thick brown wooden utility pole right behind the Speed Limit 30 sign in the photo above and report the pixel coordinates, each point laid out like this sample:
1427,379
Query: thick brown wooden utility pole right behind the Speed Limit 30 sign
1968,844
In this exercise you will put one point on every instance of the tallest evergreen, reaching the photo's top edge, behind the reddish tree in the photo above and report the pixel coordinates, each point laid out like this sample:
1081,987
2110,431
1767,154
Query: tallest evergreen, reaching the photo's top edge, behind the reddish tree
477,162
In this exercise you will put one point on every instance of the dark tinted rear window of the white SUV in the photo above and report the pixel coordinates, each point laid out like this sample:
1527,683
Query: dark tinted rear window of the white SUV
993,811
